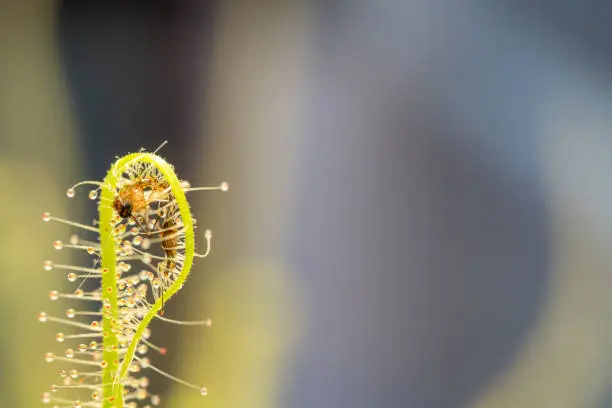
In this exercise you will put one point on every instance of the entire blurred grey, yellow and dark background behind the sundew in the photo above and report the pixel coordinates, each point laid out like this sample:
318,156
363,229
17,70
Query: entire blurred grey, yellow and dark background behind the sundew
419,213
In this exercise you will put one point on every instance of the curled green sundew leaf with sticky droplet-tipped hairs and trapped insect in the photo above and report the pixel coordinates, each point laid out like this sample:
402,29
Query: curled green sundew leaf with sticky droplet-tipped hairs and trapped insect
143,247
